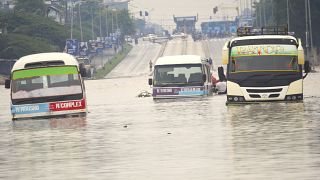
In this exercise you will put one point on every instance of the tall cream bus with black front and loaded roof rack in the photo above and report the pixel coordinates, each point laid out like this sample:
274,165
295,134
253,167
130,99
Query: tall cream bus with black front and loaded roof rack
264,65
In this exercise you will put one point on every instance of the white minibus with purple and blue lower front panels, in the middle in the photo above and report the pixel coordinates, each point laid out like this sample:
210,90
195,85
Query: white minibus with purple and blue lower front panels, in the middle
181,76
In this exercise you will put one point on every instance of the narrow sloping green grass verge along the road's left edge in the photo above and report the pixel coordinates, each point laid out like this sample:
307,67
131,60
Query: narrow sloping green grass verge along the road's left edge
112,63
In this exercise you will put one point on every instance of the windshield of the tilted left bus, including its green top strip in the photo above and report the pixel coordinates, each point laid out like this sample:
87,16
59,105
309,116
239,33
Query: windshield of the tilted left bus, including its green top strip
46,82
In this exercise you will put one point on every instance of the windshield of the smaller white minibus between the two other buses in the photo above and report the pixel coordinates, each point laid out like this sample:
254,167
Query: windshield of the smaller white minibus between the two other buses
178,75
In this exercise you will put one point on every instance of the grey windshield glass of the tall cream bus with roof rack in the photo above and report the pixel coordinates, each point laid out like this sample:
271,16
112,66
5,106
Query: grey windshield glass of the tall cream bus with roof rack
264,63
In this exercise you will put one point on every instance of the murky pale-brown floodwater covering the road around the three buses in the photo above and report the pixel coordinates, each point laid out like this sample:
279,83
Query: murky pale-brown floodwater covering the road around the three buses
125,137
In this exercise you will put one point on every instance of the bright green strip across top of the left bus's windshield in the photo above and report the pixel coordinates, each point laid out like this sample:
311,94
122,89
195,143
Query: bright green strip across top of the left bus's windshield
44,72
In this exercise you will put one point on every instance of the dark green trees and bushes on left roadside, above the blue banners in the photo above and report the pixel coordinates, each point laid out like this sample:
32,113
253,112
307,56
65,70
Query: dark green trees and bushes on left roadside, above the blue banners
27,29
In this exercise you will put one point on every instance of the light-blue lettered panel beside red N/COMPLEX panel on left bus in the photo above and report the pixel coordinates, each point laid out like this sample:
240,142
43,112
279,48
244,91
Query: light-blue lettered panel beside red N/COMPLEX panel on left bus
30,108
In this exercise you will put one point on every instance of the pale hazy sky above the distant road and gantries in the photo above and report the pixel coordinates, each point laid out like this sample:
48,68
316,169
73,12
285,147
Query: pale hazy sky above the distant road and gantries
162,11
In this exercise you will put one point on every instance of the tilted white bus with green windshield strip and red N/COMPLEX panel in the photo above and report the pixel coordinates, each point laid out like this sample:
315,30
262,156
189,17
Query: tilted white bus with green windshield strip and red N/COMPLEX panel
47,85
